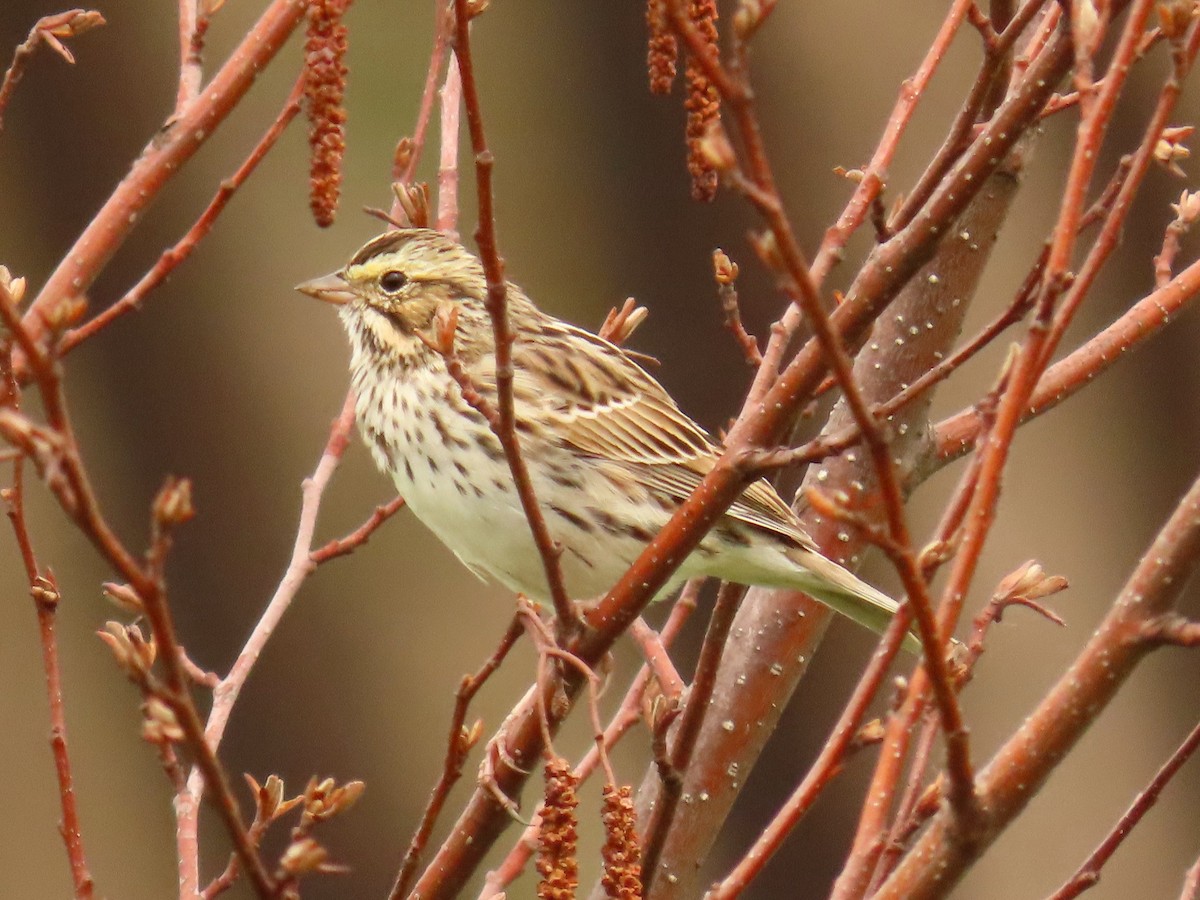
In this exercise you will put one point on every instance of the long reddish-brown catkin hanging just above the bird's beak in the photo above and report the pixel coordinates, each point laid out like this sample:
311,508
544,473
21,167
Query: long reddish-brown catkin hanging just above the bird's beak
325,89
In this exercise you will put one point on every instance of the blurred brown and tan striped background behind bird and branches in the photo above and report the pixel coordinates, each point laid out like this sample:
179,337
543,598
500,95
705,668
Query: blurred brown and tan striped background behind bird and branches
231,379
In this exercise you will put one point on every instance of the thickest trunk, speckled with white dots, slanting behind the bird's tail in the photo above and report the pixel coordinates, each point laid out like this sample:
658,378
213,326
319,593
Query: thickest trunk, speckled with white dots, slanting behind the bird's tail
777,633
